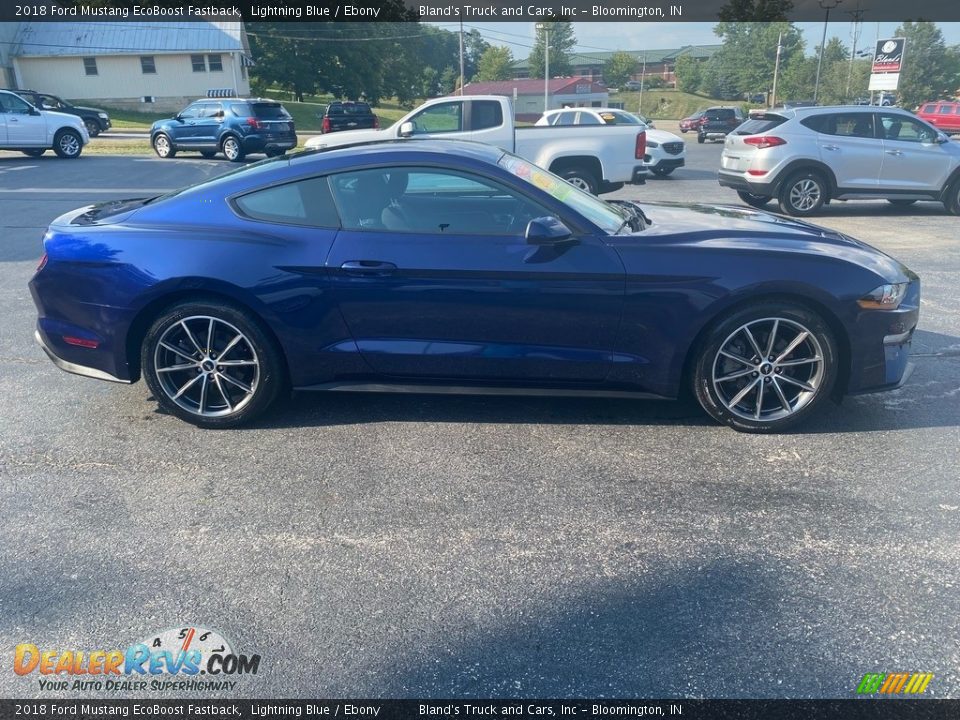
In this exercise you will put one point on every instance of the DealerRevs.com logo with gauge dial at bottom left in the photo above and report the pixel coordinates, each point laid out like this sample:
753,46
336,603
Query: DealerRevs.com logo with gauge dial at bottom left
170,660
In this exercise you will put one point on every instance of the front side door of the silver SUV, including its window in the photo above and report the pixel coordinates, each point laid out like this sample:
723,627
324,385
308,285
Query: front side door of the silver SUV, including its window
913,160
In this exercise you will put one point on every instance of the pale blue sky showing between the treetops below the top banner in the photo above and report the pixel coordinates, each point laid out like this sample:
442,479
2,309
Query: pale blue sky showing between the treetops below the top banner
594,36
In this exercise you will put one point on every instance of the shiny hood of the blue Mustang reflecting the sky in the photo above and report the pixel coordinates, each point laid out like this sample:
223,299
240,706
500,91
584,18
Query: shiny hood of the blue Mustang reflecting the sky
739,228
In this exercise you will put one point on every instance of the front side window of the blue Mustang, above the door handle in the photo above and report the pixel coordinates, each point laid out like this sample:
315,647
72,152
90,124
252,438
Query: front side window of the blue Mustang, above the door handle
429,201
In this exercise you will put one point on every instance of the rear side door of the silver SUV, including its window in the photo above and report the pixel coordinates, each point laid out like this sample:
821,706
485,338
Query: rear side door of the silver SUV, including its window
849,145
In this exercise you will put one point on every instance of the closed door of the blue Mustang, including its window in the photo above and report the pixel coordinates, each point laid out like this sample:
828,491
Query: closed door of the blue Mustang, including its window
435,279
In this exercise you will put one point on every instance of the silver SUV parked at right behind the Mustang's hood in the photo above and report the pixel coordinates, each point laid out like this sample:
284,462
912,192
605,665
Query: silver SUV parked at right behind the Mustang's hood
806,157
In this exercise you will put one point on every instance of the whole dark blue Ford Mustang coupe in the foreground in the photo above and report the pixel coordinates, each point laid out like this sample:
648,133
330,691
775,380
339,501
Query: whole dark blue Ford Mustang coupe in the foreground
431,266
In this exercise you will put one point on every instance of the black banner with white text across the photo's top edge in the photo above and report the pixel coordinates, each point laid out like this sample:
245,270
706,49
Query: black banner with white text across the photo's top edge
476,10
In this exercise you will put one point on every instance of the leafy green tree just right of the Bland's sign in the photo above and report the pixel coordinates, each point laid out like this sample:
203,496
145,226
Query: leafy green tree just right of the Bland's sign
930,68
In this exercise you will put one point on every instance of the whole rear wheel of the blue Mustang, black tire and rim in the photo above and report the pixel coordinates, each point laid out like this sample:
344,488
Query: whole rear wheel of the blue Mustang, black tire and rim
211,395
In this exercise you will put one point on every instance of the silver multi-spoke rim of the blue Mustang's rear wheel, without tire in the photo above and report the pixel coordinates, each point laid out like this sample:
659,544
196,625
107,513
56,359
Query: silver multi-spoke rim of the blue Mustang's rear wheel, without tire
207,366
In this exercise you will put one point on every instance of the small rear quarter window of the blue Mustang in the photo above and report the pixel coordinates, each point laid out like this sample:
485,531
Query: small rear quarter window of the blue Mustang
304,202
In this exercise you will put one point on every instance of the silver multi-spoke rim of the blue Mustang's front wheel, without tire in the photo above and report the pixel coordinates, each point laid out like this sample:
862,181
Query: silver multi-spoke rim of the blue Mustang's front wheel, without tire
768,369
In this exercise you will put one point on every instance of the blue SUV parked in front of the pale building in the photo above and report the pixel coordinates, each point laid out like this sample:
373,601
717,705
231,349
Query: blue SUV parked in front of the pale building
236,127
